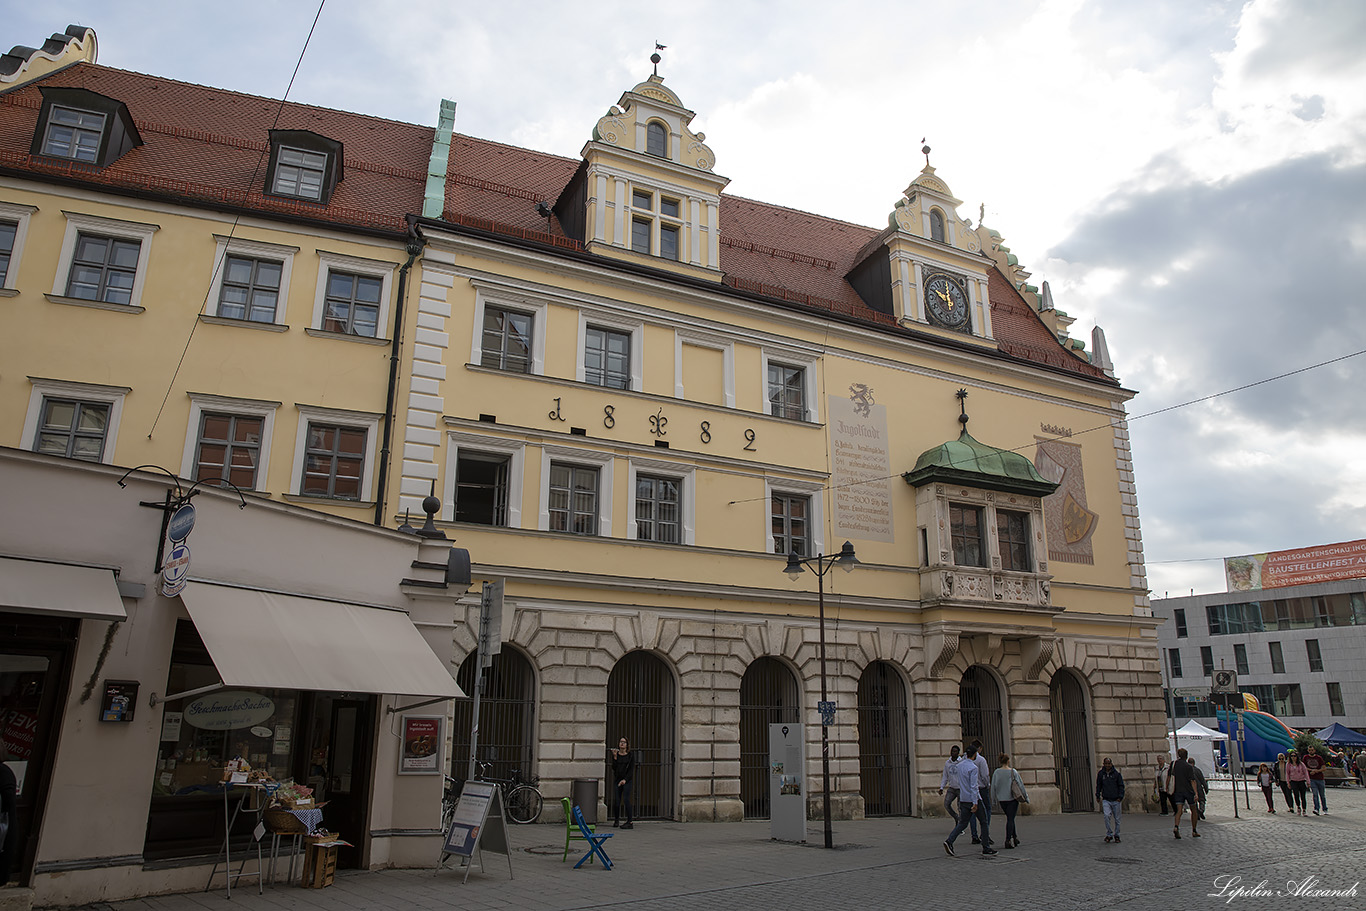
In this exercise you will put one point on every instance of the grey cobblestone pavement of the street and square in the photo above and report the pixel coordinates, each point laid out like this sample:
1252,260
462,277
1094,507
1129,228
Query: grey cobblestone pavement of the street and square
1062,864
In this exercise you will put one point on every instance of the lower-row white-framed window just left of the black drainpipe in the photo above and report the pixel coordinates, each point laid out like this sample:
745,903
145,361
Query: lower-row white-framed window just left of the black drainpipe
334,454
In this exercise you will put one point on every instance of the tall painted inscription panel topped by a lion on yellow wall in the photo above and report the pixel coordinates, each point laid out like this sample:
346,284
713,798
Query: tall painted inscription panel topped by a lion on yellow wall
860,466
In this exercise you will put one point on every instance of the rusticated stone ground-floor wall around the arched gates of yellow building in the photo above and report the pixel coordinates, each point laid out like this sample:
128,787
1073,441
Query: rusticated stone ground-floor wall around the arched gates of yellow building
574,652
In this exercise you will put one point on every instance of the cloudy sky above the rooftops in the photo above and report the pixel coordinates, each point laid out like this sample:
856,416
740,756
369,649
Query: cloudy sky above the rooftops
1189,176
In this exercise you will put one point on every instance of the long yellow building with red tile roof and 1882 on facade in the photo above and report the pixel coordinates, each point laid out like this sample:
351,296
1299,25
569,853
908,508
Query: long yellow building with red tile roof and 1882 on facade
636,401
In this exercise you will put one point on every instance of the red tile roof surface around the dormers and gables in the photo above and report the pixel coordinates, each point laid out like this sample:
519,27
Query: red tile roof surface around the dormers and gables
211,145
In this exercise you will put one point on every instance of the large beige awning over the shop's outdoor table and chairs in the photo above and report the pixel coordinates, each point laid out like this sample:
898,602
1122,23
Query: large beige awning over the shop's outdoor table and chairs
290,643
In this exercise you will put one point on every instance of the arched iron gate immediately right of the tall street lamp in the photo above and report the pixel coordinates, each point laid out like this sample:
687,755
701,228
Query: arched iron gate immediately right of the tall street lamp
884,745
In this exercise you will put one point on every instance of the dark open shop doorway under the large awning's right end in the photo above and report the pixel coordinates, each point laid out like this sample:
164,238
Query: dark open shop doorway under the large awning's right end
341,741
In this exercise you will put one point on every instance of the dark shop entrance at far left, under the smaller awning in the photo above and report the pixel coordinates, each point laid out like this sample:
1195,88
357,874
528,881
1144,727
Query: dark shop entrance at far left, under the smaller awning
33,678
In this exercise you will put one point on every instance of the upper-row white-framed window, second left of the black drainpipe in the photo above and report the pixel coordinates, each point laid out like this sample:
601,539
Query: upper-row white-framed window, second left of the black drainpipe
251,281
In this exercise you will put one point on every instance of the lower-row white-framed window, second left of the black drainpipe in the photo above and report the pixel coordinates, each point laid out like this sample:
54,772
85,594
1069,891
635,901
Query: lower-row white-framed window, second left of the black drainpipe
229,439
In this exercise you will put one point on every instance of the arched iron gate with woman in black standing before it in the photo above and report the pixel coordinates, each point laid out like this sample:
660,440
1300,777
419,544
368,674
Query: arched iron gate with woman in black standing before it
641,708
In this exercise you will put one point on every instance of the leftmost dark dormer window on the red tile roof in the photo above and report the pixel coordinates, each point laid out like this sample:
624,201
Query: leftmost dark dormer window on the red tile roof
79,125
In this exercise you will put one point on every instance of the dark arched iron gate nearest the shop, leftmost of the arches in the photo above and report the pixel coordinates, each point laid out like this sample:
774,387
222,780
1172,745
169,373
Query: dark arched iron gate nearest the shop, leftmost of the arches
507,716
